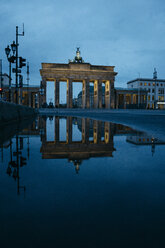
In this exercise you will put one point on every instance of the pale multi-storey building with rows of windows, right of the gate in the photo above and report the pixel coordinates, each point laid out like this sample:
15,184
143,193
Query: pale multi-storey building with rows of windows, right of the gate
155,88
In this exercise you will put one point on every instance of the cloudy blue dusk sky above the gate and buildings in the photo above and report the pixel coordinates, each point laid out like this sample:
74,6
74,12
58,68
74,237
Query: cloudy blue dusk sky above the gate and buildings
127,34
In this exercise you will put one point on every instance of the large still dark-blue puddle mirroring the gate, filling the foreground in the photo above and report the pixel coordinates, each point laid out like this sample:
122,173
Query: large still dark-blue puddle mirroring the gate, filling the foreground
84,191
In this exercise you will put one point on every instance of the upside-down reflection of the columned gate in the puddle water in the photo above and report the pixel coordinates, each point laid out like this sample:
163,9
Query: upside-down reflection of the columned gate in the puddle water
101,145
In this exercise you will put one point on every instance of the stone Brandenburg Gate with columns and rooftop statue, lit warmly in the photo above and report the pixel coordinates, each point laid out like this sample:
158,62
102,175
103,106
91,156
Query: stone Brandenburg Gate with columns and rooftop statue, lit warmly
79,71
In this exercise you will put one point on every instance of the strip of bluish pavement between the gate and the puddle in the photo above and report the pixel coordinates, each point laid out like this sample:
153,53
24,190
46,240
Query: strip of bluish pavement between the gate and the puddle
150,121
